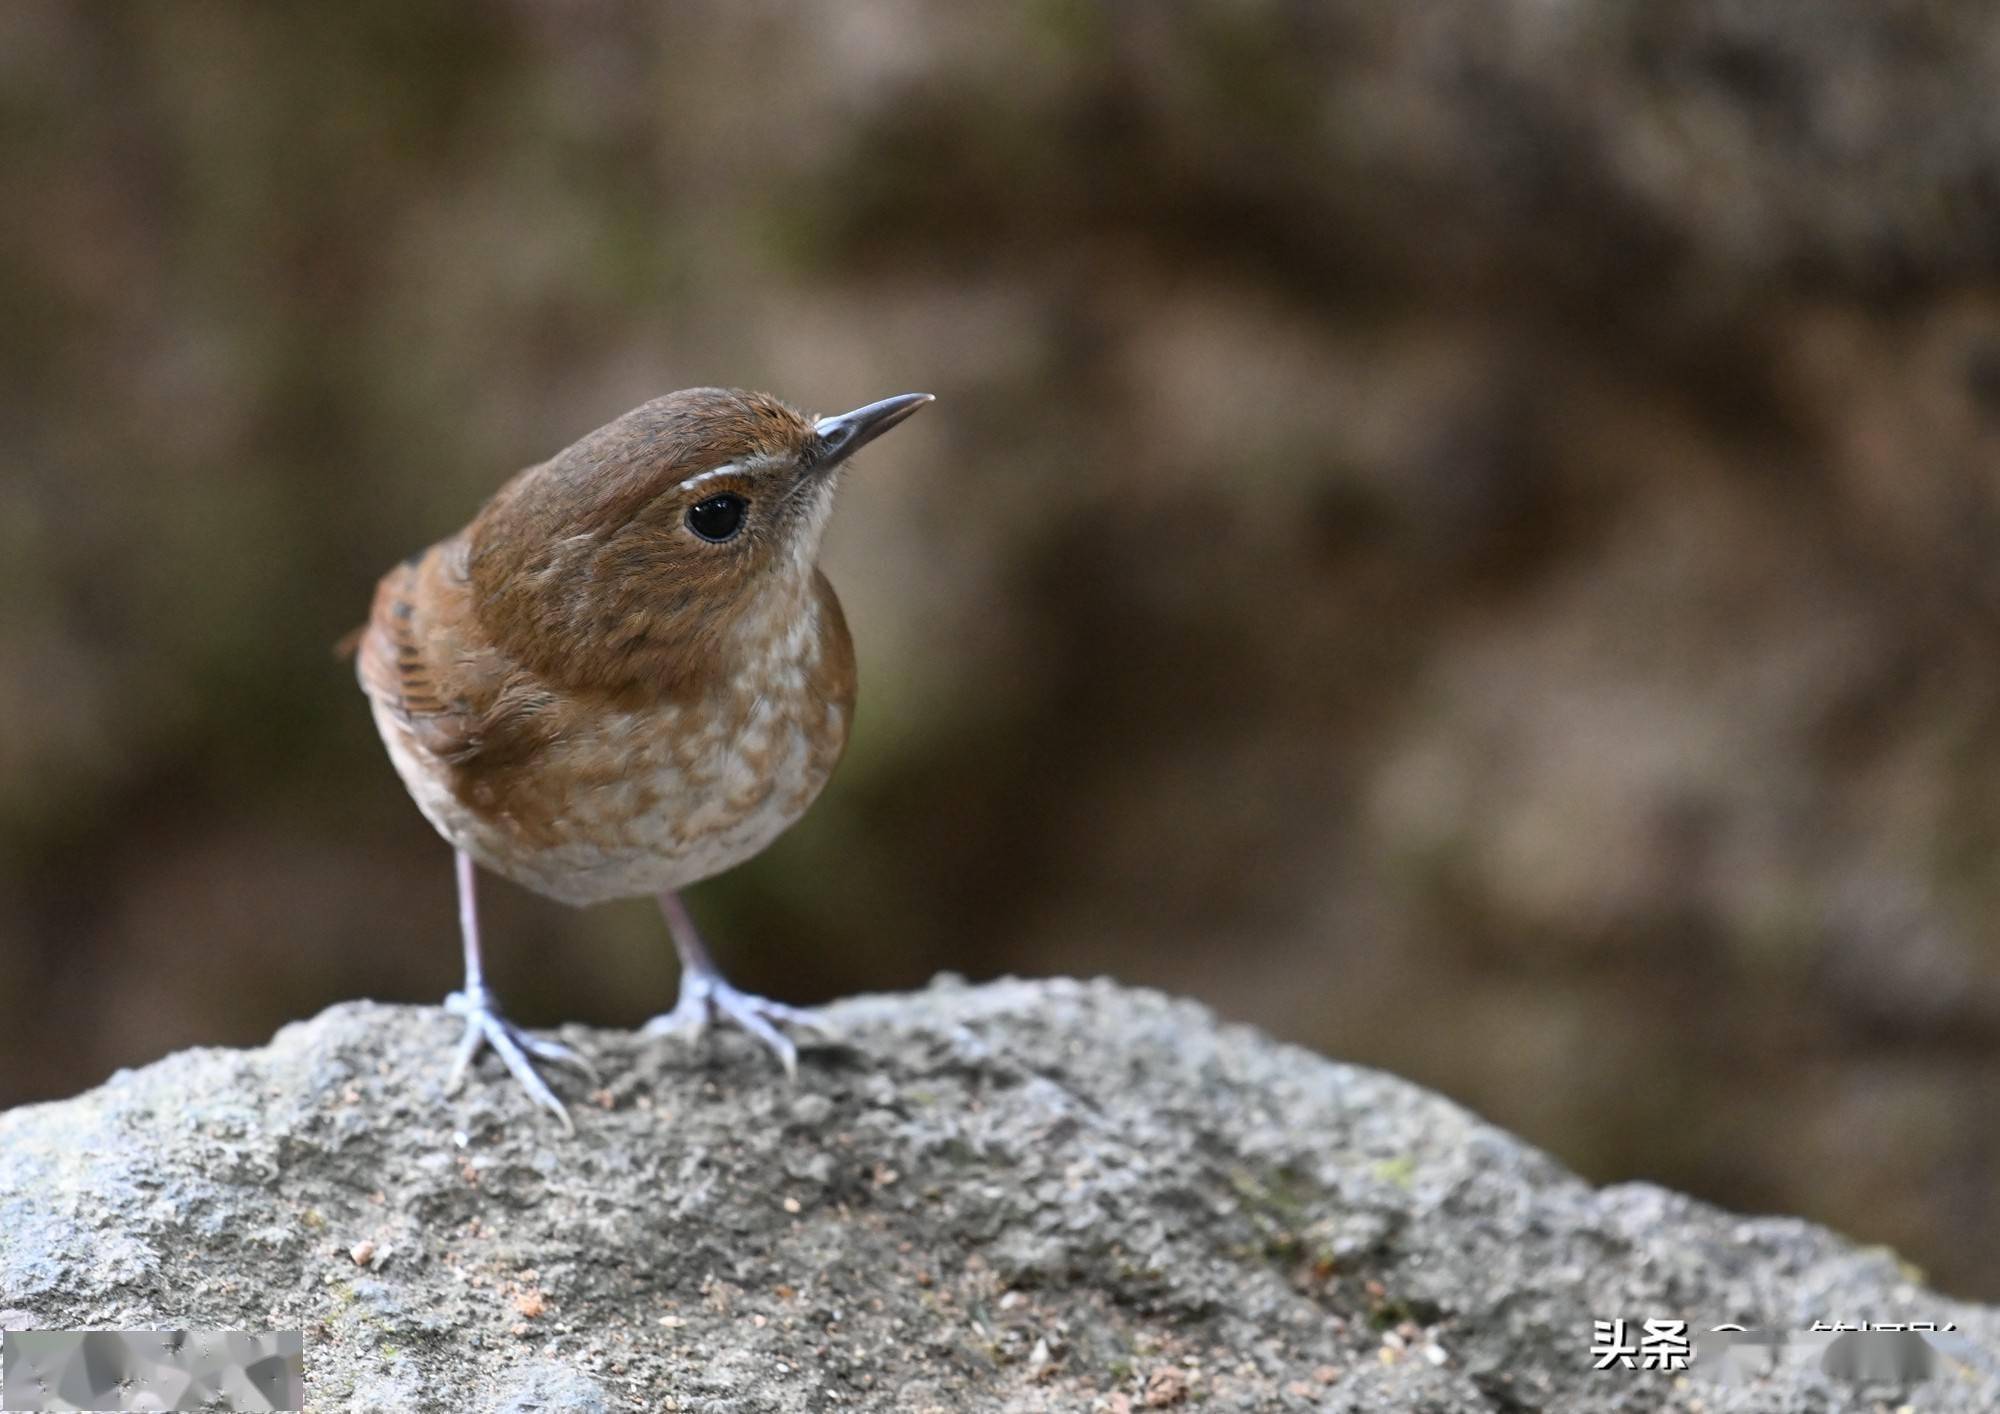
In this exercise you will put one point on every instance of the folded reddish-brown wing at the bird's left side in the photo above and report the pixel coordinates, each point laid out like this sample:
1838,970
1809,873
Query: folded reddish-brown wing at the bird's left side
425,657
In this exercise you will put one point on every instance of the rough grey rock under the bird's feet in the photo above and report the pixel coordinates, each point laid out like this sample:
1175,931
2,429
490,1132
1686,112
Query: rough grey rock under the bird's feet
1027,1195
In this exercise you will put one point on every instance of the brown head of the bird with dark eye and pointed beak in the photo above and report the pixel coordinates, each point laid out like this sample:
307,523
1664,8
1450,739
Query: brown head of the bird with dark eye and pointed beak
637,553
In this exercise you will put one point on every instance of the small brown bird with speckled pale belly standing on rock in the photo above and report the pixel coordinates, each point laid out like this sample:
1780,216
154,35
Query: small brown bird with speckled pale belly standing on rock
627,675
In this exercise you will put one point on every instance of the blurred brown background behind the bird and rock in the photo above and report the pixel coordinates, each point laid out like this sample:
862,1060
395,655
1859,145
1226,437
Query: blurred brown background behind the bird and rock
1467,535
